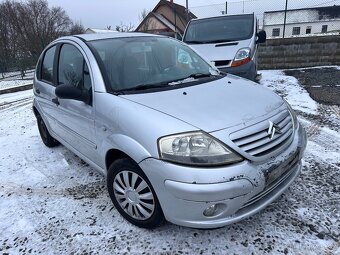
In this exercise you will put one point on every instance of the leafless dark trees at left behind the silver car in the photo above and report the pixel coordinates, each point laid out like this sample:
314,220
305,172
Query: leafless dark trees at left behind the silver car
26,28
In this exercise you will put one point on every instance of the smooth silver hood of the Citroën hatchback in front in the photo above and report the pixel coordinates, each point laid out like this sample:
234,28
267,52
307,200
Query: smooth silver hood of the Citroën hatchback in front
214,105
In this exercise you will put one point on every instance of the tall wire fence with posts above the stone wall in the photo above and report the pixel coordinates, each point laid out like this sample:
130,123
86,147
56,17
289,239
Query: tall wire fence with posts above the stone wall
282,18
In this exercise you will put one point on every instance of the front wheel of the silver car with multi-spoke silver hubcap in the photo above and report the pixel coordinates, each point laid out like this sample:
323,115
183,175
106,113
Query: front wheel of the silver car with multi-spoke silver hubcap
132,194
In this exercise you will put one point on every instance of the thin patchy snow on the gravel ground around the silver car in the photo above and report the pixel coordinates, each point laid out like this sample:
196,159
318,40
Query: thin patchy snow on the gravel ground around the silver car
51,202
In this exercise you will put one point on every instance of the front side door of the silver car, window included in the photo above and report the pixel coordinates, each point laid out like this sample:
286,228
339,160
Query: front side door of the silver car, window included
75,122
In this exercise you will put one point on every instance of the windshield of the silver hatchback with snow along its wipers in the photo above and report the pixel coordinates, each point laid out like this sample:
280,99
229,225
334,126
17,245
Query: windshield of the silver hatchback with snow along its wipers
146,62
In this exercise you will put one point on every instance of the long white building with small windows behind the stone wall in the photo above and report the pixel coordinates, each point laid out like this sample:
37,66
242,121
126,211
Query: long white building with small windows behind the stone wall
301,22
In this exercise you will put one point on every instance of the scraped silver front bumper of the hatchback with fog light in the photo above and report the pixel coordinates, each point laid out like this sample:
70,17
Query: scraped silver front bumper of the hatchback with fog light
240,190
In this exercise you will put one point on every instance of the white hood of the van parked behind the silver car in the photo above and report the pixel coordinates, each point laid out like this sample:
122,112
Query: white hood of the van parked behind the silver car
220,51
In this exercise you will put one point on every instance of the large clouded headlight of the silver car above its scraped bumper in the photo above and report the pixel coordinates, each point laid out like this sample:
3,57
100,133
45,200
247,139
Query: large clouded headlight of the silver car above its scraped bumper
195,148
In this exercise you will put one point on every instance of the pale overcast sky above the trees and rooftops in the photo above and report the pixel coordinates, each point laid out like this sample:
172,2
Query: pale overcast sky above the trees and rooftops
103,13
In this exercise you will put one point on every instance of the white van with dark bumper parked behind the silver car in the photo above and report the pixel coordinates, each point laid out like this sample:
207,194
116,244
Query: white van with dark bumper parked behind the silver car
228,41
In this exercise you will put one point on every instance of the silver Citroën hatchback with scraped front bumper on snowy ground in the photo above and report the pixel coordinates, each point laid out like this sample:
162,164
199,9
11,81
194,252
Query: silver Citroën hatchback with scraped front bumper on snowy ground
177,139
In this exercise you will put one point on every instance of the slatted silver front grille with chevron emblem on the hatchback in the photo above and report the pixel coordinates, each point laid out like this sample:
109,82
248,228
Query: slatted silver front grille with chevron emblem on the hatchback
255,139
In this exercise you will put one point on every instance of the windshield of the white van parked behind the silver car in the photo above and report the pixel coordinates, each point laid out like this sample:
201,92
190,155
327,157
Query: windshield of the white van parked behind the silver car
220,29
